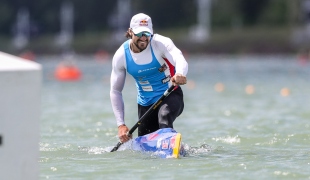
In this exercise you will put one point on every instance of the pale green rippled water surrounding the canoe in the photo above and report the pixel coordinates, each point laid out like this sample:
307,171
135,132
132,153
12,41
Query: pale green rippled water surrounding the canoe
228,133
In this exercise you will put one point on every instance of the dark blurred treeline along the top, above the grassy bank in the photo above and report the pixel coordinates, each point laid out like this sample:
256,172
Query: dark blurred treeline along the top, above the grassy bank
98,15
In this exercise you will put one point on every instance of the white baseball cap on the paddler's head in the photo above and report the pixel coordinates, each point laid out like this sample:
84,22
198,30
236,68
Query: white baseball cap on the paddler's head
141,22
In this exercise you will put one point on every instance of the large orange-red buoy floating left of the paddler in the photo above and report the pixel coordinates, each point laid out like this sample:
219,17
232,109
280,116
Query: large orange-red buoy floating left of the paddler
65,72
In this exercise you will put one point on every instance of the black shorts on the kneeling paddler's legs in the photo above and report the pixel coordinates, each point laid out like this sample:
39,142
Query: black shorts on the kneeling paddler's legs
164,115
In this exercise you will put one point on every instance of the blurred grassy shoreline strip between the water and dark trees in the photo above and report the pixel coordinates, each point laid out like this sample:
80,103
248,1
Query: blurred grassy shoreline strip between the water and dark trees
246,41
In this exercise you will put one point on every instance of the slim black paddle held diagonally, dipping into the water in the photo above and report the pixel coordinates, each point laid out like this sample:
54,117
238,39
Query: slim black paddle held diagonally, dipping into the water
147,113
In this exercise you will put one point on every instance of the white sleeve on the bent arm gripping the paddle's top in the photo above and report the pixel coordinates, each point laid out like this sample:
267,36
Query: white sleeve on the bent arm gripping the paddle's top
172,53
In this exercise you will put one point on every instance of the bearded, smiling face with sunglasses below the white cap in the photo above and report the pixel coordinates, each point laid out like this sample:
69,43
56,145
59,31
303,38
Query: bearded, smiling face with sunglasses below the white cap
140,41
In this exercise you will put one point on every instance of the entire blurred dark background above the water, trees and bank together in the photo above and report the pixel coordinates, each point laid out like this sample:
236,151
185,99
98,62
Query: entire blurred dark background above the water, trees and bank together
236,27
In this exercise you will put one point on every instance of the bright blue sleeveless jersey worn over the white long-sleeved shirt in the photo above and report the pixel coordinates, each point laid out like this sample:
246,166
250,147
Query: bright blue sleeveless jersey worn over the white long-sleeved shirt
151,81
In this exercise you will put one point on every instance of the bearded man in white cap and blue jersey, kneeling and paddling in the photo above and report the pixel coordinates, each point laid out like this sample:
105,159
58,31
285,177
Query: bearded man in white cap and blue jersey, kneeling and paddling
155,63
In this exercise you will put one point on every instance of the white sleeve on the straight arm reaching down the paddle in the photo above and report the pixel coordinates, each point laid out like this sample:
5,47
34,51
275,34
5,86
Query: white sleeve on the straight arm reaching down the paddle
117,81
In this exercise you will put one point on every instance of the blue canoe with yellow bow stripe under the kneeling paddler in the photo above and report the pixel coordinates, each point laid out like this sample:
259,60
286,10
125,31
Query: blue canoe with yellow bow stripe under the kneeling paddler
165,143
